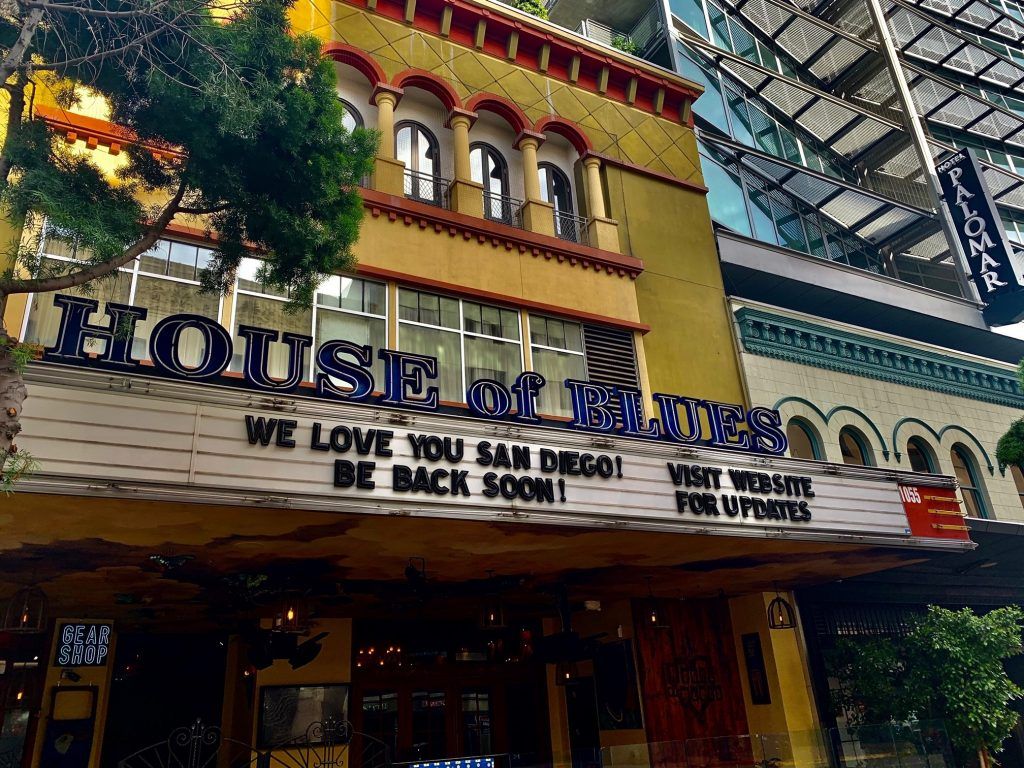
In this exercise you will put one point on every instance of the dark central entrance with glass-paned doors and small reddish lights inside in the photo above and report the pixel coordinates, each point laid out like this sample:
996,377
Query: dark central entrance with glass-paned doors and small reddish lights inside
444,692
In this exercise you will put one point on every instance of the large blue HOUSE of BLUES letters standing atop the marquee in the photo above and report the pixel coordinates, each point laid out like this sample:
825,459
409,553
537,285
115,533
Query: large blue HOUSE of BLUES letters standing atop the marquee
410,380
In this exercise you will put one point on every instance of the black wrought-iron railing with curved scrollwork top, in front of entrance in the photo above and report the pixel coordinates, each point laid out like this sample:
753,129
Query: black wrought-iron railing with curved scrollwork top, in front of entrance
331,744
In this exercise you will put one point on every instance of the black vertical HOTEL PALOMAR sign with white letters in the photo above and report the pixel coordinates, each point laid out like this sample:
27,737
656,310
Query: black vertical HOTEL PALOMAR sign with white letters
978,226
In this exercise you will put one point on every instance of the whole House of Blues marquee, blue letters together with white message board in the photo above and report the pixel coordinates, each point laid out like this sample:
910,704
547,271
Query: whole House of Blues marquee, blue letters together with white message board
334,448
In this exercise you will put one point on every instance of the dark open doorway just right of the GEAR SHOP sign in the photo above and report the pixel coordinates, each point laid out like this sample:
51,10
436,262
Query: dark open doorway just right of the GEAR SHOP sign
162,682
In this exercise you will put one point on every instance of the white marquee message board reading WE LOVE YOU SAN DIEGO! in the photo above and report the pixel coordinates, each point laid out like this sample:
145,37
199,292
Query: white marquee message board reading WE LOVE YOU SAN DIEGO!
221,446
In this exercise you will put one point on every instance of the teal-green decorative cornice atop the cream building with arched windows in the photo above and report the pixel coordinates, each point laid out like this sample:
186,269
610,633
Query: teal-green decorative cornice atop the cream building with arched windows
808,345
